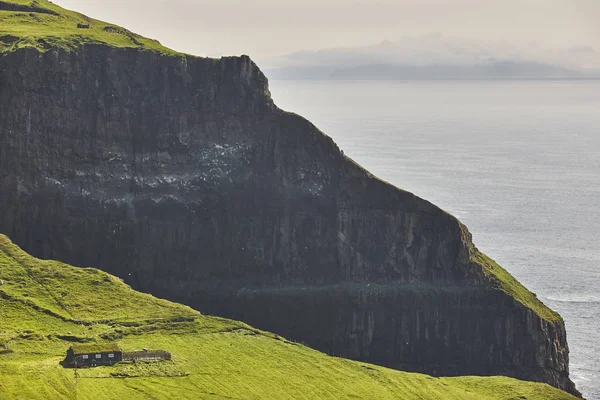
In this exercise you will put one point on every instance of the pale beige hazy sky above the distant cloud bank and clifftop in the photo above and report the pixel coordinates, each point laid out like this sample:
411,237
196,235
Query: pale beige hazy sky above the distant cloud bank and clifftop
262,28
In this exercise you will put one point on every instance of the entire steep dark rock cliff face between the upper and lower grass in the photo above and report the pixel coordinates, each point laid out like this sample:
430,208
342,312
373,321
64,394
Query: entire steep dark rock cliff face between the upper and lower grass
180,175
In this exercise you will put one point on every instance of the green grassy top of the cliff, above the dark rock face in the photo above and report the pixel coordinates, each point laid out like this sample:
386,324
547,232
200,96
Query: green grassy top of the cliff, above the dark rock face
43,25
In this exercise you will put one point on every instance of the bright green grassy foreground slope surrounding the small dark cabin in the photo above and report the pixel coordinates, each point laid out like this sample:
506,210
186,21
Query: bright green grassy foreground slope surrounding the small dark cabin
47,306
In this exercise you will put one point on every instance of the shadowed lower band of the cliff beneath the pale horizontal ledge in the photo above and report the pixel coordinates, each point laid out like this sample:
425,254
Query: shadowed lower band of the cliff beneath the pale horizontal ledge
448,331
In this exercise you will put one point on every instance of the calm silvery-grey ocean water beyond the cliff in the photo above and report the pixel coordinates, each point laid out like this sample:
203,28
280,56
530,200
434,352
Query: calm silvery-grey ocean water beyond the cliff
517,161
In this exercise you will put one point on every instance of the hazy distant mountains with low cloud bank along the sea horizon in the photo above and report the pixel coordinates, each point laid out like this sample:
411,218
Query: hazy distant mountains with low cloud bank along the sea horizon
437,57
